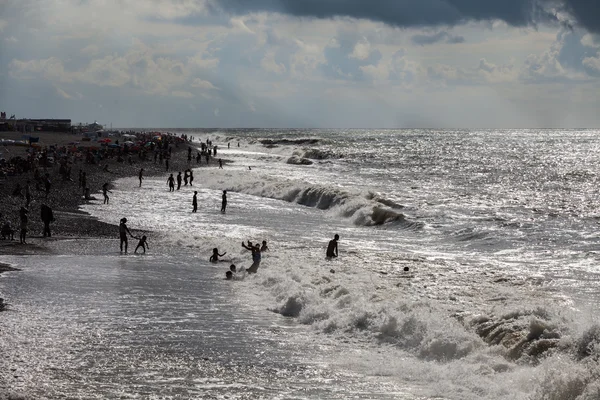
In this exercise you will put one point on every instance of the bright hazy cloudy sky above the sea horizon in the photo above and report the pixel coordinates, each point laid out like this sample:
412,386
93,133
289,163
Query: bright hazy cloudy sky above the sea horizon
303,63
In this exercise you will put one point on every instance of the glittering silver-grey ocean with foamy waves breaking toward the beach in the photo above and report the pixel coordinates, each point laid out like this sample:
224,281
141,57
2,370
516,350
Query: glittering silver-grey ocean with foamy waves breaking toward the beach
467,269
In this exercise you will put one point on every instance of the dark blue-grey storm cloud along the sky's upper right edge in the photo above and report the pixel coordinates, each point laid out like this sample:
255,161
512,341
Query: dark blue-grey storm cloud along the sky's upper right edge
415,13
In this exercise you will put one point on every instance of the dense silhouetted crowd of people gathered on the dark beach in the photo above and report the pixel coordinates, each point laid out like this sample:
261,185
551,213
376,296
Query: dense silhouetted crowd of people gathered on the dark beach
42,176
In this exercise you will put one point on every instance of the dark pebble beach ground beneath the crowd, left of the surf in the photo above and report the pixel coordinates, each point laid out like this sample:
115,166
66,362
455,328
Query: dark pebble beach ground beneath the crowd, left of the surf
66,197
